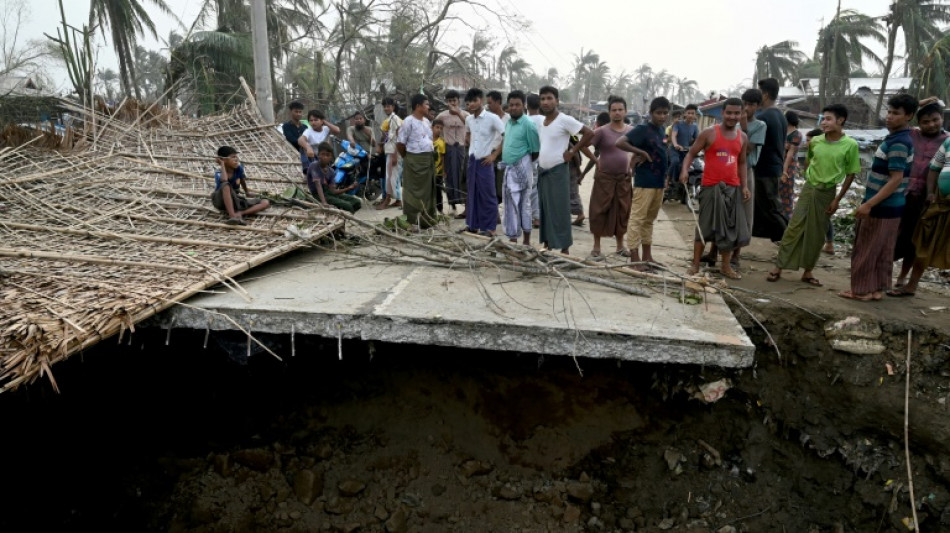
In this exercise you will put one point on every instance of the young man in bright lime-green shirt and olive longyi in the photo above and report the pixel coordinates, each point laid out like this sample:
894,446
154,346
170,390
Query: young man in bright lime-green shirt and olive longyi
832,158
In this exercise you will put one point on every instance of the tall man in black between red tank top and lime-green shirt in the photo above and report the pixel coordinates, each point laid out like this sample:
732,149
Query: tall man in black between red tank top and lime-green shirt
769,221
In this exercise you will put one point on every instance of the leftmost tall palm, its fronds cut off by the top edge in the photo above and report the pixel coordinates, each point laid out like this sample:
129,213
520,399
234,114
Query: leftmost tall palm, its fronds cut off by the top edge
127,20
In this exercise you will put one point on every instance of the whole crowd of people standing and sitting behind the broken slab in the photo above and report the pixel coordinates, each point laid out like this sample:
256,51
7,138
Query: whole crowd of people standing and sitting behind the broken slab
521,153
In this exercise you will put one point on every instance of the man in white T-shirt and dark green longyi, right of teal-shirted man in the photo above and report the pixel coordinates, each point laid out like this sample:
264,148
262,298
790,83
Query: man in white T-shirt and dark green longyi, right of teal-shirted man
554,177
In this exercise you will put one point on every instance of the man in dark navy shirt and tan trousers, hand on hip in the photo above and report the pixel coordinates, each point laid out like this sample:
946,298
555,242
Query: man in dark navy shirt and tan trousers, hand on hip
646,143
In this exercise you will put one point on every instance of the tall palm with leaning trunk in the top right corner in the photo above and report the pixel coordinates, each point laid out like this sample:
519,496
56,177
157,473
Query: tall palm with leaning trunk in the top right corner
918,19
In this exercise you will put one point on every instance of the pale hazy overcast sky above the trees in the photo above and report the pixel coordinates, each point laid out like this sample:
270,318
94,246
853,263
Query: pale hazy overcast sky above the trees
710,41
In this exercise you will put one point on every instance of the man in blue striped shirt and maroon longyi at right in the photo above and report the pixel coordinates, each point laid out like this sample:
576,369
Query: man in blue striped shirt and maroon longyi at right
879,216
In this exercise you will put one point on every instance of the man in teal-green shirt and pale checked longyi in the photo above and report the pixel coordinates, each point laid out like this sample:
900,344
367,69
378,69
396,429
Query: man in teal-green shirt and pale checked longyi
519,149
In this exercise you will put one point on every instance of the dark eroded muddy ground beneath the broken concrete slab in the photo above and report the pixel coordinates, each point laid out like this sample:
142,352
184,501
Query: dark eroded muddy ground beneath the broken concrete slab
404,438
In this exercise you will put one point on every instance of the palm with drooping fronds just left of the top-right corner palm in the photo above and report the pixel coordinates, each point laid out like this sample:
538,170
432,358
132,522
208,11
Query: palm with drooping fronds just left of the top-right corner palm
840,49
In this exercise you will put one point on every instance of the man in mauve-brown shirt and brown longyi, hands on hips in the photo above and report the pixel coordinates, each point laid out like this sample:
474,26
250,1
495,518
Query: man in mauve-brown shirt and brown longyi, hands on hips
612,193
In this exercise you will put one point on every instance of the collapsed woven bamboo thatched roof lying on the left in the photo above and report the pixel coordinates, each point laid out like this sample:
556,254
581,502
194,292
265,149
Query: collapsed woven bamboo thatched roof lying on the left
94,240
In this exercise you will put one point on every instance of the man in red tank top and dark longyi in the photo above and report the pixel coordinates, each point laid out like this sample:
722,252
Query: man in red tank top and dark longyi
721,217
